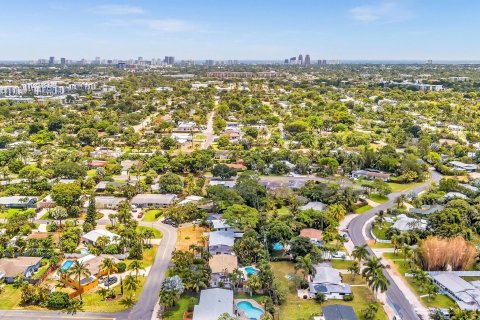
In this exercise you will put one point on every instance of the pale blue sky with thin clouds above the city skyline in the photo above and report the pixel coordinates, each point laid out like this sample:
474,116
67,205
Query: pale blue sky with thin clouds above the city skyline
241,29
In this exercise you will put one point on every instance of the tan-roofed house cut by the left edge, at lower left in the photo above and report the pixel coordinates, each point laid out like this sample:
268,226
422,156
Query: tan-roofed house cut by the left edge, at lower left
10,268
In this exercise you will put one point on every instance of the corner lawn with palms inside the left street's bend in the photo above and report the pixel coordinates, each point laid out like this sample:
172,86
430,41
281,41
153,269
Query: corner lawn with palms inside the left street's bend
93,302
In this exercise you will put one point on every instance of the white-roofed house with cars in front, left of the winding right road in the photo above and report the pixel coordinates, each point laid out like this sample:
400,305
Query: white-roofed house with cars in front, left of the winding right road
327,280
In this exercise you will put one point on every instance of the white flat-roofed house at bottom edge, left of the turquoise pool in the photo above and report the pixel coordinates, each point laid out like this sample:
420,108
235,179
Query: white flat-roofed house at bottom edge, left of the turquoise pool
213,303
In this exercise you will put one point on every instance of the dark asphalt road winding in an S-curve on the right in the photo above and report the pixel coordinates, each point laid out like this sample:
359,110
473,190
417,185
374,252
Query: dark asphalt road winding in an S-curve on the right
355,229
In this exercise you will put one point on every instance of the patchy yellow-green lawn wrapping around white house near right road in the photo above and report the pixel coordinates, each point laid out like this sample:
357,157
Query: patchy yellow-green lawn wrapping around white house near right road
298,309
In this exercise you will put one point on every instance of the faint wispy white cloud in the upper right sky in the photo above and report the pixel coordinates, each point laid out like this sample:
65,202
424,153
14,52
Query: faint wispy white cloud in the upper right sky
383,12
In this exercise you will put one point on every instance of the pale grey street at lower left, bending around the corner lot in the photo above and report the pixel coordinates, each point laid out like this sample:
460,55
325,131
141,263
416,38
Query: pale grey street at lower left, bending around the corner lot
146,303
